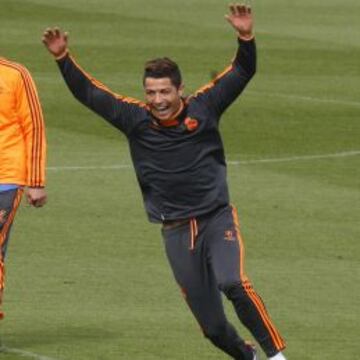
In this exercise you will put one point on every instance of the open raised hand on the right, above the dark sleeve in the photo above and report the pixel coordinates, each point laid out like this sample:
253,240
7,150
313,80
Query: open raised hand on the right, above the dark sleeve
241,19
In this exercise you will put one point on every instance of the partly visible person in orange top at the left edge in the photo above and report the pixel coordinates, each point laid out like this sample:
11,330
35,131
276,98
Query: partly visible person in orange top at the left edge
22,150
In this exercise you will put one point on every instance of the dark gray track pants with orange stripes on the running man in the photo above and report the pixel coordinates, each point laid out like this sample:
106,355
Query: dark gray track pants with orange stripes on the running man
206,255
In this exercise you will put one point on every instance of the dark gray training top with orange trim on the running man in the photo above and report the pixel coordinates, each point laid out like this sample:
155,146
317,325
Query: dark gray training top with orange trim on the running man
180,163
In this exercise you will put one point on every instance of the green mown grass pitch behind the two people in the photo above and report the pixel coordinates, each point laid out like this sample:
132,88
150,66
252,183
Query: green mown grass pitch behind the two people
87,278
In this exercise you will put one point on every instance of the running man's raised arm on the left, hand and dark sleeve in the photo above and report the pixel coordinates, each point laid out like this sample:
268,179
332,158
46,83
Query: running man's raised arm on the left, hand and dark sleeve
120,111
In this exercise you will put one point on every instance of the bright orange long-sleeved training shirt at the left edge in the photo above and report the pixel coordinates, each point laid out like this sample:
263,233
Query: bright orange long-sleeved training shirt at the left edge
22,129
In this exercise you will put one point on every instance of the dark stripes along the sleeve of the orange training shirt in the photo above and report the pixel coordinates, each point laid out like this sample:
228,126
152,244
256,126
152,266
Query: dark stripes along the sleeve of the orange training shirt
37,121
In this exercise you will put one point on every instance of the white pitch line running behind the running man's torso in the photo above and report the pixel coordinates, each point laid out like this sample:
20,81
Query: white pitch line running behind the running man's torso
230,162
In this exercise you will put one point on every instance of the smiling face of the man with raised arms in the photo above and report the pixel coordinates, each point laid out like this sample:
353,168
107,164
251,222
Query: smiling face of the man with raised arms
163,97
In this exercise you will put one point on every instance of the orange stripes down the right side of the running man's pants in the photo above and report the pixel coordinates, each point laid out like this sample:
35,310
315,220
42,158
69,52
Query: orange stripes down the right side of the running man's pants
253,296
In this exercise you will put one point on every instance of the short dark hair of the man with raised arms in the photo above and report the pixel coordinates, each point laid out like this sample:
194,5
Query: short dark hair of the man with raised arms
163,67
